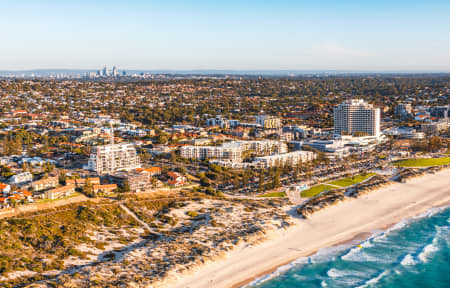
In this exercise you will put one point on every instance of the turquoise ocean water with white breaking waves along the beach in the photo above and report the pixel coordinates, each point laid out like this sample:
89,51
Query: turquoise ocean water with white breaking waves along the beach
414,253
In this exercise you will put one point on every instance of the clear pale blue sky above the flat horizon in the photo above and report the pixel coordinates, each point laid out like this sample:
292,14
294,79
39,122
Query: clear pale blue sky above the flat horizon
226,34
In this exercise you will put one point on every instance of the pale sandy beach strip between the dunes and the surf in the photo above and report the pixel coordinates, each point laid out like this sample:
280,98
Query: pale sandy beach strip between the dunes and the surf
349,220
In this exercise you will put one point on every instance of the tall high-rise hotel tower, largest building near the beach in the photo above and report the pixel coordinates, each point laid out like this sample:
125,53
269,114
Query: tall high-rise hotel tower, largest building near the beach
356,116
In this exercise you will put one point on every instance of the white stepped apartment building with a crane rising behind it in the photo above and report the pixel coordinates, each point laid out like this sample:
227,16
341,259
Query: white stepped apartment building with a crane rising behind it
113,157
